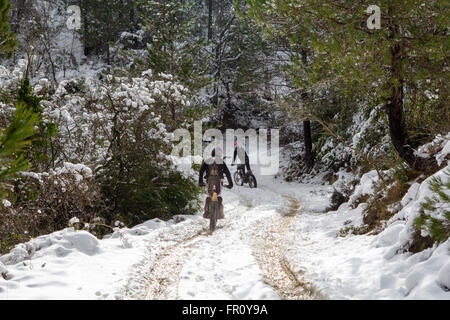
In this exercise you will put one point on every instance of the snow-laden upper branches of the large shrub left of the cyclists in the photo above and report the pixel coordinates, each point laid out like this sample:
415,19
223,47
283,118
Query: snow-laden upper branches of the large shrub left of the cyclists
91,113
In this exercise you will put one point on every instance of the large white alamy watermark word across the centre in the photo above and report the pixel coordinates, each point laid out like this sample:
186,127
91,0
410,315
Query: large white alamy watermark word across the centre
256,144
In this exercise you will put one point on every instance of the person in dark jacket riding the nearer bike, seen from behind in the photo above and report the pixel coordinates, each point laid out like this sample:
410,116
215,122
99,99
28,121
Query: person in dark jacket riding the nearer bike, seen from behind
215,168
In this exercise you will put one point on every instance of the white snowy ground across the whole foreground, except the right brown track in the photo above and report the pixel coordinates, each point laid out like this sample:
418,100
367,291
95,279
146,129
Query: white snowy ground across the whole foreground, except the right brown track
178,260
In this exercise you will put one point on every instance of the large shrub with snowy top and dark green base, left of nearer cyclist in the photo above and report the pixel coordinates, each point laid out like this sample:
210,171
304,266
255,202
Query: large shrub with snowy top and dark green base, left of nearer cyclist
121,127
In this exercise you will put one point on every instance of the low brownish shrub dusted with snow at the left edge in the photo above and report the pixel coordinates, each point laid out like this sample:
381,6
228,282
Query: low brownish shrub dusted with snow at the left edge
45,202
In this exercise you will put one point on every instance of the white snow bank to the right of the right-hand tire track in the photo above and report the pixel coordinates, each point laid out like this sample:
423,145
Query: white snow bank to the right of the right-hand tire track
369,267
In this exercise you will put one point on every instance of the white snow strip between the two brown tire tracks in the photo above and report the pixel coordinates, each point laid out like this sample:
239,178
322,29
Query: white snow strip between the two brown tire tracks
222,266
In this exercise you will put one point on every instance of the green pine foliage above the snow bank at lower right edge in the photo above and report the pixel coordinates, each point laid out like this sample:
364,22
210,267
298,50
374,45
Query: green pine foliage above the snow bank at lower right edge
435,216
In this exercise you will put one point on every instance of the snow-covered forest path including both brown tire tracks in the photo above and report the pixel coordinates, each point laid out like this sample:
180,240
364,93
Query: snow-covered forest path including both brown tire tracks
243,259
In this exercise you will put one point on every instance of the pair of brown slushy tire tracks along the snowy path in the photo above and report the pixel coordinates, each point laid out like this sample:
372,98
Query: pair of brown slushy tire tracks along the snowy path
266,246
